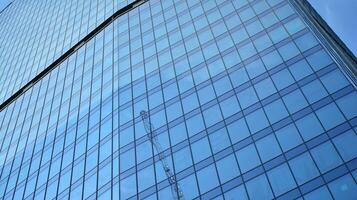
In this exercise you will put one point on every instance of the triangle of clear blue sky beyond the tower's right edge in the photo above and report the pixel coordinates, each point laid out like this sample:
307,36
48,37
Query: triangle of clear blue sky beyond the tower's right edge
341,15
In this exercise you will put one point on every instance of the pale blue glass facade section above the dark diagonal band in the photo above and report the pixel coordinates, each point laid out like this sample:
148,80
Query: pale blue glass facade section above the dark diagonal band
35,33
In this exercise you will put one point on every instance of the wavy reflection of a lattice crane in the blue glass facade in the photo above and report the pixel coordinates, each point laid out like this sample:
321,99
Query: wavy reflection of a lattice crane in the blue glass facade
175,187
